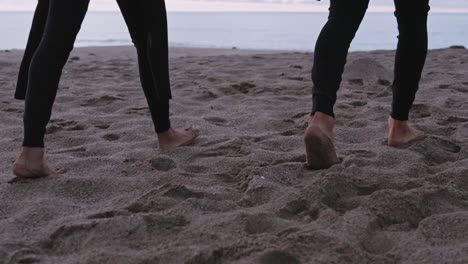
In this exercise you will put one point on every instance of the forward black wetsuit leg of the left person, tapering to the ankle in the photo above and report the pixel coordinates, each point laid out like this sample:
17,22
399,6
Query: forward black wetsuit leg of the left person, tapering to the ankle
147,24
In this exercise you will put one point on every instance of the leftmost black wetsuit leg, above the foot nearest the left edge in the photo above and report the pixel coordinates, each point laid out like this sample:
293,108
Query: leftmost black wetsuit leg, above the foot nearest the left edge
63,24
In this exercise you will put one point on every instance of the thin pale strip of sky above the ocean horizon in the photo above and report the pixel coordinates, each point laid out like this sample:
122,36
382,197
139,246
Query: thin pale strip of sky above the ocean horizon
446,6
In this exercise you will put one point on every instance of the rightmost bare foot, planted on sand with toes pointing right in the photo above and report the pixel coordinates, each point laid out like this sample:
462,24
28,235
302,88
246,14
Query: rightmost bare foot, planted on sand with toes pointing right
400,134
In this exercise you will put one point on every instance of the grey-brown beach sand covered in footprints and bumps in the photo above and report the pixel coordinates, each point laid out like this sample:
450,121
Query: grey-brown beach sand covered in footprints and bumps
241,194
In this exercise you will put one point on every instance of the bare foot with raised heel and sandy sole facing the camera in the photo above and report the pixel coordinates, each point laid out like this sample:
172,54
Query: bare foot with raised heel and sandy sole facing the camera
318,139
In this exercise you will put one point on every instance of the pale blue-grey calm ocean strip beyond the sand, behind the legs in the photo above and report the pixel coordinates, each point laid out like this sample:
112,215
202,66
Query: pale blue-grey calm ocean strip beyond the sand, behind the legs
274,31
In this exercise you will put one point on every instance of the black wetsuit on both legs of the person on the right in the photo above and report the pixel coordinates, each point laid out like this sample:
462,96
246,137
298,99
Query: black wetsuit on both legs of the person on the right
332,49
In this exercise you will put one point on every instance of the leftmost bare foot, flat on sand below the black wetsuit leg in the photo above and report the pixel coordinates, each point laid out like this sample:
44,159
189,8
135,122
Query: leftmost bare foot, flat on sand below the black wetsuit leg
31,164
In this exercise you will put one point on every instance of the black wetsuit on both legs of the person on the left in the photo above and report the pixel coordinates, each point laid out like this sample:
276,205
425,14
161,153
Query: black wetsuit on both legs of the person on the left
55,27
